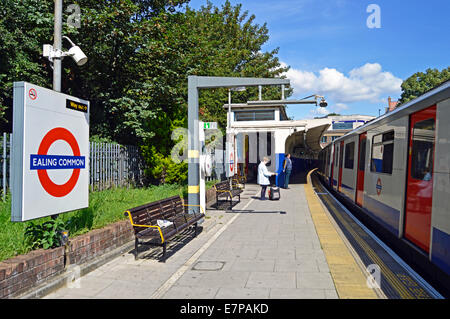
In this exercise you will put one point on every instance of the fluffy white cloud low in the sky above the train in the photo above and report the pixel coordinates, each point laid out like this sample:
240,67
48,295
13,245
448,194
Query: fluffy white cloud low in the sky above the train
366,83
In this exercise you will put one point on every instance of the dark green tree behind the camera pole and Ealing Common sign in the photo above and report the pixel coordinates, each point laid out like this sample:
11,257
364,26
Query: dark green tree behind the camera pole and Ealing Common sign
111,34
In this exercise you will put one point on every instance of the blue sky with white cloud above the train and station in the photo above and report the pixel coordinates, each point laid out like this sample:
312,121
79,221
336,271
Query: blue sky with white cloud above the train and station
332,52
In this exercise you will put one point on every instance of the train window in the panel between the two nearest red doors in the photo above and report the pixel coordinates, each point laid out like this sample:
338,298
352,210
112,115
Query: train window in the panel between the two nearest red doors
382,153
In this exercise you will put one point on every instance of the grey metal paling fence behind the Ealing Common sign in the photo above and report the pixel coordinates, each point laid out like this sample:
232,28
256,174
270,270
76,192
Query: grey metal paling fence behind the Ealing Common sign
109,165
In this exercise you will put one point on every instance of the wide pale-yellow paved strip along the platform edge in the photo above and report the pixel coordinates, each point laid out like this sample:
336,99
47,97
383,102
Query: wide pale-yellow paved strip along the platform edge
350,281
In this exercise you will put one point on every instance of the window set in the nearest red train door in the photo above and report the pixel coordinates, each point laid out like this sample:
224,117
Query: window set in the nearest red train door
422,150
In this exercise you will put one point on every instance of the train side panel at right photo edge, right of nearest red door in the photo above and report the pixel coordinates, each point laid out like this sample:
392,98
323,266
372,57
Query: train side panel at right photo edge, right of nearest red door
440,219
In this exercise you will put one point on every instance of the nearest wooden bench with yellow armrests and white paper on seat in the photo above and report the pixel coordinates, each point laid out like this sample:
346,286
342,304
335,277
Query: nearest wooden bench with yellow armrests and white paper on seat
144,220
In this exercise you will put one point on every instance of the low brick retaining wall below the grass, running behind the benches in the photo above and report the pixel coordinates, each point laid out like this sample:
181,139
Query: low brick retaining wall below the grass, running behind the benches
21,273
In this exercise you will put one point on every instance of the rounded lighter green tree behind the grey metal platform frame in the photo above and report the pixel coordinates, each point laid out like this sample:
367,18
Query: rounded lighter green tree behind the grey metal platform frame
209,42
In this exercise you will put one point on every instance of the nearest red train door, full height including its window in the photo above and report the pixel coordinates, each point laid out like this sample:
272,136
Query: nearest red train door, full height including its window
419,187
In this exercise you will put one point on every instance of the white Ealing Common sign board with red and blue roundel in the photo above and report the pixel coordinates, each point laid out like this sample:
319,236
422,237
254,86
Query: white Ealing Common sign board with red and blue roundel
50,153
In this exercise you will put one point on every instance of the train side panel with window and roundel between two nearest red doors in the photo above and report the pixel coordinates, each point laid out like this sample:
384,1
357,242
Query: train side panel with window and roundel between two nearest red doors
384,182
